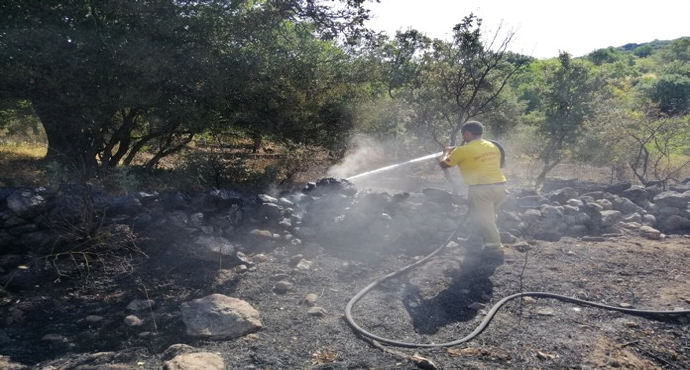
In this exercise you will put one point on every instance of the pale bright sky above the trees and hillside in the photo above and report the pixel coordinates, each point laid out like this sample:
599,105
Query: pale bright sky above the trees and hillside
543,28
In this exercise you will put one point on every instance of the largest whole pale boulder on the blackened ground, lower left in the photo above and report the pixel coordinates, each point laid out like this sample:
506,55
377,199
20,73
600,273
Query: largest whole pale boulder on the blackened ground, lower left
220,317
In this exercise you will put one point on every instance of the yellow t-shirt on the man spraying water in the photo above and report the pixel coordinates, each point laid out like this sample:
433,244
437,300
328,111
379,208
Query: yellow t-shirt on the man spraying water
479,162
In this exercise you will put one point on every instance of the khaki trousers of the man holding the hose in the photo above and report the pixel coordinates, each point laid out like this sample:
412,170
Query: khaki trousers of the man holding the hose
485,200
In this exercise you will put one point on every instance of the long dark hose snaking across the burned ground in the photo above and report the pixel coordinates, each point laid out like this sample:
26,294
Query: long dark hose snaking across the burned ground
489,316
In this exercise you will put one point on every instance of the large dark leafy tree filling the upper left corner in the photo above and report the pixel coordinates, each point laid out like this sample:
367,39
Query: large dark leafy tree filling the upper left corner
107,79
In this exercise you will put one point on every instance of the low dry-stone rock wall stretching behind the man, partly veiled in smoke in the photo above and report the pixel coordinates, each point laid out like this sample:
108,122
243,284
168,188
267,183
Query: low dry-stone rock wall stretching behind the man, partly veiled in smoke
226,225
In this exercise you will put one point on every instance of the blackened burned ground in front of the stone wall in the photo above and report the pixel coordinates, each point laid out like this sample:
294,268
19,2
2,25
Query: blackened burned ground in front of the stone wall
427,305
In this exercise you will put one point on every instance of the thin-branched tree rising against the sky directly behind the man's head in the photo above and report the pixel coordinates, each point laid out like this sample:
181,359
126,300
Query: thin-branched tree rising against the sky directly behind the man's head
462,79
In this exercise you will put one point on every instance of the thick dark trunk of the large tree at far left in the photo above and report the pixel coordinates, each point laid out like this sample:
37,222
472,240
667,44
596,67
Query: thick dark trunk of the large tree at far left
68,140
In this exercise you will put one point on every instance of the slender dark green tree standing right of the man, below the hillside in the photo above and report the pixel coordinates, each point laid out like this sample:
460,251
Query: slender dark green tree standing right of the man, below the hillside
567,100
